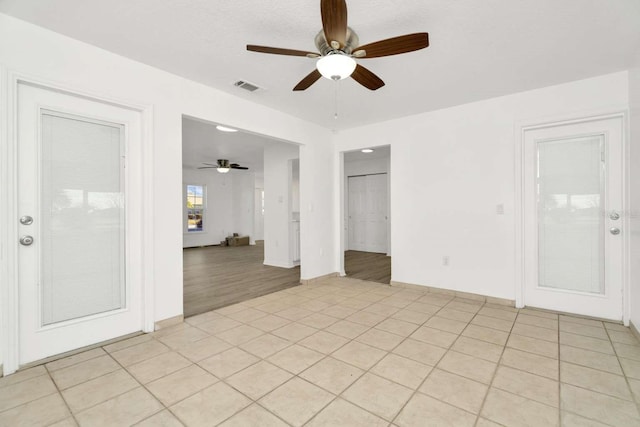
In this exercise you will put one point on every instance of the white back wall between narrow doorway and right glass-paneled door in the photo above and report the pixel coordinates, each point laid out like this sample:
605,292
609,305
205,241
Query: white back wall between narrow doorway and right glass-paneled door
452,167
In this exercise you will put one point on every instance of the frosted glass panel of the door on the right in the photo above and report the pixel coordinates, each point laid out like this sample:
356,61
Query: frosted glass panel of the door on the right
570,221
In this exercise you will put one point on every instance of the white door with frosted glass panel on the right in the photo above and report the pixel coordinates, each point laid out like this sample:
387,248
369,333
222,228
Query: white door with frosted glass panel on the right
574,218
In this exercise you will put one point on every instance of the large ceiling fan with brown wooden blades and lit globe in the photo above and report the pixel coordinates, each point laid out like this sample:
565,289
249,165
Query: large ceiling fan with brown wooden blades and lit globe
338,45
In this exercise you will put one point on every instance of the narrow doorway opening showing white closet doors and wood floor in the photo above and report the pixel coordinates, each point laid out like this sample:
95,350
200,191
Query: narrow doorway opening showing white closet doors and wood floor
366,206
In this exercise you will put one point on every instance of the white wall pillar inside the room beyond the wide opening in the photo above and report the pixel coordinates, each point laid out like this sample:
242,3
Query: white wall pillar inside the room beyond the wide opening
276,203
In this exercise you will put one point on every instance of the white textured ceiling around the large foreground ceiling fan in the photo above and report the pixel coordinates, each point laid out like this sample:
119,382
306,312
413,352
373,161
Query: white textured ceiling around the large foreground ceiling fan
479,49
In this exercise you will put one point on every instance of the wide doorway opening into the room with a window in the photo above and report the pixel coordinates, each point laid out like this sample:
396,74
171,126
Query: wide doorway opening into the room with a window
239,239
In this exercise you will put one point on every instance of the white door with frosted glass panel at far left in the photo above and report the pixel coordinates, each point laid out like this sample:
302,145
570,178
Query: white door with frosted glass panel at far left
79,280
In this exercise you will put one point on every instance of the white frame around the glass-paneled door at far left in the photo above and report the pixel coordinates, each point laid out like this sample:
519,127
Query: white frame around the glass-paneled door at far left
9,283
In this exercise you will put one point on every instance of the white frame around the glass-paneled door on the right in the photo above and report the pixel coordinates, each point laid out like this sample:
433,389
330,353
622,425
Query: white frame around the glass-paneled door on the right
521,127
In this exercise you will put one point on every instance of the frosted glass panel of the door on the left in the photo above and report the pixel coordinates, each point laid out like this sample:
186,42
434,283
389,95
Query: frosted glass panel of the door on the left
82,211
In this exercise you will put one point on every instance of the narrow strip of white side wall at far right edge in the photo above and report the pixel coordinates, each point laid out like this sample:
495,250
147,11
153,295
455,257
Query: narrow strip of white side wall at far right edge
634,217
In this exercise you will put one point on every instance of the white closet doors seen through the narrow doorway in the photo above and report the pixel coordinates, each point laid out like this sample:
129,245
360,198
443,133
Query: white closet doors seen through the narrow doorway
368,204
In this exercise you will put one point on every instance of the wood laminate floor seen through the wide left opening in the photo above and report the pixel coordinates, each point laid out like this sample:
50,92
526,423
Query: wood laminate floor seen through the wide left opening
217,276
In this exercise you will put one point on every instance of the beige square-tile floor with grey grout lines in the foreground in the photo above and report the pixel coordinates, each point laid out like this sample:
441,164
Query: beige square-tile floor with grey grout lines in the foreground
345,353
